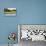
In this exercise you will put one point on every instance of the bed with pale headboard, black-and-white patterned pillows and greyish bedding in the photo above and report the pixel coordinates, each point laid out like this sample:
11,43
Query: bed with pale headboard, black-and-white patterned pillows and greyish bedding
28,34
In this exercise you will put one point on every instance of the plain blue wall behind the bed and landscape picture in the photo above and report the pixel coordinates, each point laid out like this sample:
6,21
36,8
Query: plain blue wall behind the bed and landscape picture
28,12
